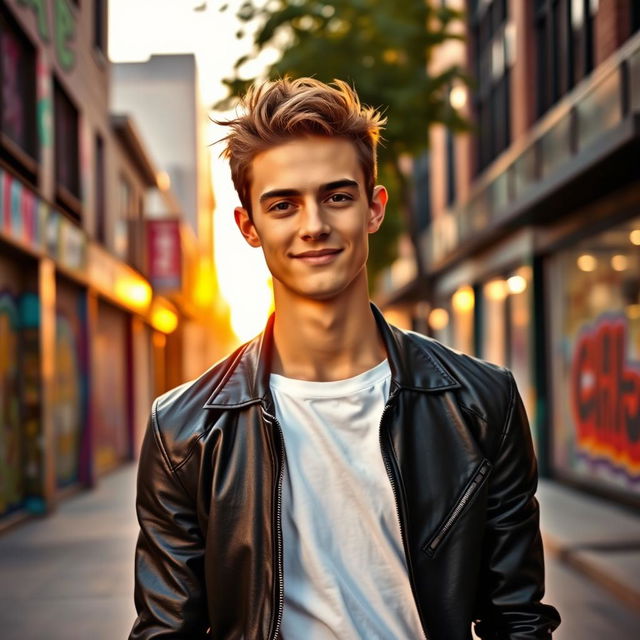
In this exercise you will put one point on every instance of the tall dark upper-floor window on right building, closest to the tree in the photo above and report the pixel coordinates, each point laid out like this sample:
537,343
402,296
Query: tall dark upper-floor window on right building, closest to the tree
493,55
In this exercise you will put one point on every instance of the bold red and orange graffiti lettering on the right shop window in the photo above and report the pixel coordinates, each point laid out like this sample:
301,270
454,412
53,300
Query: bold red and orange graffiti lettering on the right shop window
605,393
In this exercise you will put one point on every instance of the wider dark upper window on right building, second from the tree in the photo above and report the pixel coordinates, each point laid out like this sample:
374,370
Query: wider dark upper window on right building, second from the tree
565,47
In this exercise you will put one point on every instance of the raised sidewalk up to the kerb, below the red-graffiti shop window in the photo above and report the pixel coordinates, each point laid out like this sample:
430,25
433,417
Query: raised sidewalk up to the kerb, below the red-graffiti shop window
593,536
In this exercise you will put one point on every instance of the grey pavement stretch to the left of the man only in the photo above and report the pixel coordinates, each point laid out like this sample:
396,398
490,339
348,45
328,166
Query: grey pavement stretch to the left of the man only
70,575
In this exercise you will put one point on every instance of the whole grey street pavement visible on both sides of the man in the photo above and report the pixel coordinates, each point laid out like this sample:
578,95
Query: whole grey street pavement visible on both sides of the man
69,575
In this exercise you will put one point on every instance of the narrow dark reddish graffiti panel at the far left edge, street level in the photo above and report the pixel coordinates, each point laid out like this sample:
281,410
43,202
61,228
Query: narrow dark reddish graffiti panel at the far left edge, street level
11,488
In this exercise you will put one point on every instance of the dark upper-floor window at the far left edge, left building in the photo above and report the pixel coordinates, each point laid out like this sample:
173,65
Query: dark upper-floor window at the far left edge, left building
18,95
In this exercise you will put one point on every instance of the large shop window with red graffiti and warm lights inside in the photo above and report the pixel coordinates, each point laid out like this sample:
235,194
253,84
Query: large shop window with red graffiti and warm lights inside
595,305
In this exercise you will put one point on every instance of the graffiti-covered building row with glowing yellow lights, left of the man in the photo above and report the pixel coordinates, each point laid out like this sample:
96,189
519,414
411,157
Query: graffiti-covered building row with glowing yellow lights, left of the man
83,334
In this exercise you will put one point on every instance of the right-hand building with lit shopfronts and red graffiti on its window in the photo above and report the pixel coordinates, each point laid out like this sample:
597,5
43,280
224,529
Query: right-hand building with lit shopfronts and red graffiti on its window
533,252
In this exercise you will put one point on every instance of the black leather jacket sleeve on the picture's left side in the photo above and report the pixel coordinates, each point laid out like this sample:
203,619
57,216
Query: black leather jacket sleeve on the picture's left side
169,583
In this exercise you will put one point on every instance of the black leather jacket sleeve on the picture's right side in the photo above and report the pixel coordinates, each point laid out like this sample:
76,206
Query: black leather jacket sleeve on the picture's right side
509,607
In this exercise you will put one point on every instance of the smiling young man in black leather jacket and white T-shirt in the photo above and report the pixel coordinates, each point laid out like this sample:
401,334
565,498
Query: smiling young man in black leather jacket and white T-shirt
335,478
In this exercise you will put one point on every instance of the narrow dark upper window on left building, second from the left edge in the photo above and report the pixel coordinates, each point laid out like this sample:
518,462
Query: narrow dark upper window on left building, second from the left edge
66,151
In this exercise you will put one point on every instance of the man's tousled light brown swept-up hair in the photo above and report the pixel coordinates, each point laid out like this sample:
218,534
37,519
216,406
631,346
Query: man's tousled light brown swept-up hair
279,111
